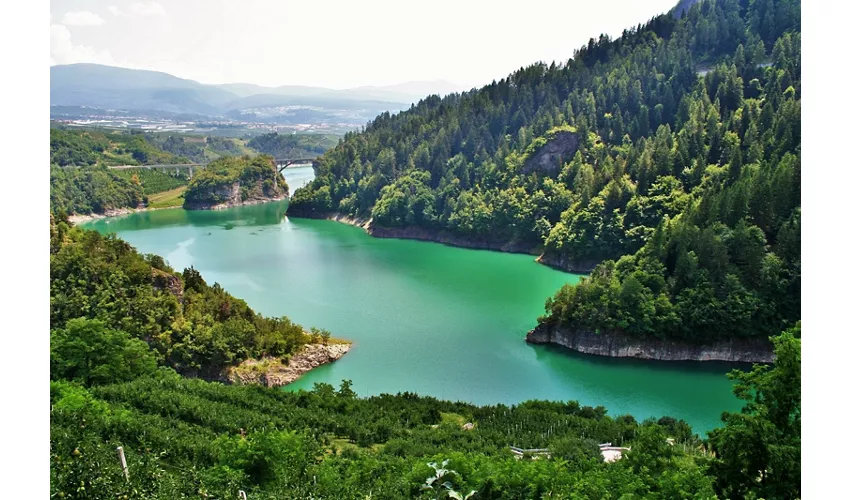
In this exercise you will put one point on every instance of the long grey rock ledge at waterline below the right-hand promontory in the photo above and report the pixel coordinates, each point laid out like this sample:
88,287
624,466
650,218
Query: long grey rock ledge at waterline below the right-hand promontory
617,345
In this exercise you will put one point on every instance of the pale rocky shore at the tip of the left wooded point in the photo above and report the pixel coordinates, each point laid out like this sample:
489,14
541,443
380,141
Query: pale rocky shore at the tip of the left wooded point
272,372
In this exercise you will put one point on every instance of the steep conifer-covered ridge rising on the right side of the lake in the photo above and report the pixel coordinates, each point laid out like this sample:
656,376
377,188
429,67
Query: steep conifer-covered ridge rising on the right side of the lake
683,191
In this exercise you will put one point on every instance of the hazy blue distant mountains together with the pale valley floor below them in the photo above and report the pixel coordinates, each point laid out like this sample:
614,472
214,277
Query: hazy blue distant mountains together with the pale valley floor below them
93,94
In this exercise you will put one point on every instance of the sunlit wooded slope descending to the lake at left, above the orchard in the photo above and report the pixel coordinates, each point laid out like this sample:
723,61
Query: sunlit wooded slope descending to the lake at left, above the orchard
105,298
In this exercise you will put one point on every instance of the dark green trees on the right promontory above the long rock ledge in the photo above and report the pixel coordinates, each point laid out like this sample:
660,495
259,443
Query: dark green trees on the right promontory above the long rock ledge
698,285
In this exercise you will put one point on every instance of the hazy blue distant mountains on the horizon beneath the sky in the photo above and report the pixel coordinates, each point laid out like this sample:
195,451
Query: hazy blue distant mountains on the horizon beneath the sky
108,87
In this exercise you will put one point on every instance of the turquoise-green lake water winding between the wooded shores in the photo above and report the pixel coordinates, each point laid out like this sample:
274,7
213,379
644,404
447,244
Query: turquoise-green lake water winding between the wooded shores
423,317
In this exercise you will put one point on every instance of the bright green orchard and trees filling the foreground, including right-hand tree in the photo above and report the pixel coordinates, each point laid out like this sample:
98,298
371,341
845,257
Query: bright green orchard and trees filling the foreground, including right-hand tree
188,437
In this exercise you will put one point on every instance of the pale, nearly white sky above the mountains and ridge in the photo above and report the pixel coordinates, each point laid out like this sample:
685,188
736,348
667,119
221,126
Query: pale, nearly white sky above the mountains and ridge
336,44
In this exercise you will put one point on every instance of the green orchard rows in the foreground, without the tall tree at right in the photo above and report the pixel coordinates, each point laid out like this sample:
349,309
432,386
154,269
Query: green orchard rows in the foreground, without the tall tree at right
184,435
